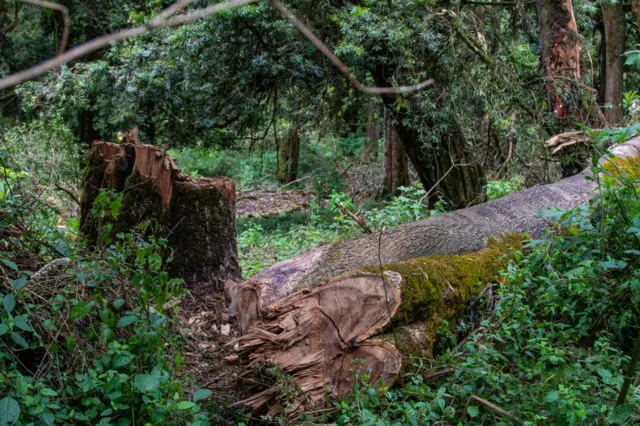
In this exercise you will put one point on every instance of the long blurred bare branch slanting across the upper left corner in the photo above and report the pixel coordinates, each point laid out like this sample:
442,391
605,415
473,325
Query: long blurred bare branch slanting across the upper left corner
100,42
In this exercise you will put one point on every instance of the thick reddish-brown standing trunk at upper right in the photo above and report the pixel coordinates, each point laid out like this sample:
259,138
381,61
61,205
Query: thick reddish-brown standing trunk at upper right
560,54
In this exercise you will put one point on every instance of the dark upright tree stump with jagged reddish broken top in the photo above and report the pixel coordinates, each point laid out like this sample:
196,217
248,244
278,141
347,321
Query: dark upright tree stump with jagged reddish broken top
196,215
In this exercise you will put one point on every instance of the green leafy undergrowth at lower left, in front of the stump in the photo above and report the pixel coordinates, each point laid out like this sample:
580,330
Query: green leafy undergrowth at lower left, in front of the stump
87,338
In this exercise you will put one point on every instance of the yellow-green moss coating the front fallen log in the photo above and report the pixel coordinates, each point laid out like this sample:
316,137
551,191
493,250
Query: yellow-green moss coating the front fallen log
439,287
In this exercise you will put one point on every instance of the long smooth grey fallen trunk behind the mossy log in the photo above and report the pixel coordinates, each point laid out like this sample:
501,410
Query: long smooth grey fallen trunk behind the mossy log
461,231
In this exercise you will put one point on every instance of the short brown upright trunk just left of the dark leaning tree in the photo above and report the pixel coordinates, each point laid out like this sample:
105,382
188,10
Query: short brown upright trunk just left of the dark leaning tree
396,163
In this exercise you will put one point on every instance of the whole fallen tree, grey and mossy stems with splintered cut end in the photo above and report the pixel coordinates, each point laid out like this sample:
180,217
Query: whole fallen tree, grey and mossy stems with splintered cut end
379,315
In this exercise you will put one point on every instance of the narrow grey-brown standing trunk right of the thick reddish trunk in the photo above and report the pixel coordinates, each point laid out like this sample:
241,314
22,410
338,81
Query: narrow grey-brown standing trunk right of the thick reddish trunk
612,62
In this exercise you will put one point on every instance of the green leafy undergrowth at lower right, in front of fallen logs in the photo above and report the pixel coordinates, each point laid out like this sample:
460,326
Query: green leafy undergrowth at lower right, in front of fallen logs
550,343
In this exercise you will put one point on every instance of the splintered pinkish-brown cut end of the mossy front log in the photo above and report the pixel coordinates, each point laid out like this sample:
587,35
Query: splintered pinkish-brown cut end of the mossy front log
319,337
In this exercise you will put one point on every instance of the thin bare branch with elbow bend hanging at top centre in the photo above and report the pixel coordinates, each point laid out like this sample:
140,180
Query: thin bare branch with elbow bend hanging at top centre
338,63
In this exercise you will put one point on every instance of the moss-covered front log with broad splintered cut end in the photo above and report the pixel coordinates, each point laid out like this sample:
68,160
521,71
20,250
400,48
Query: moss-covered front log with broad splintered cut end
315,334
